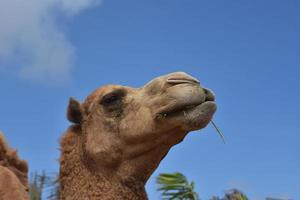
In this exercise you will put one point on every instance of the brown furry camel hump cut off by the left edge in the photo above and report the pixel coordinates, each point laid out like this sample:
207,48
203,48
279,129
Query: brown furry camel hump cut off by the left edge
13,174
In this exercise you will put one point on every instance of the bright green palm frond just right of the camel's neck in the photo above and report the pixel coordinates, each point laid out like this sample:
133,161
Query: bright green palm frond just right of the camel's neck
176,187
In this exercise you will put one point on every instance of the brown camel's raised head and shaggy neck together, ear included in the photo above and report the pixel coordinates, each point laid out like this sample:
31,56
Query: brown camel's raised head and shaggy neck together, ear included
119,135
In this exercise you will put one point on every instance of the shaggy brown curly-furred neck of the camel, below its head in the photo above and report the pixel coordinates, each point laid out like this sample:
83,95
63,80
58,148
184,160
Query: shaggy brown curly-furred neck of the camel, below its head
79,182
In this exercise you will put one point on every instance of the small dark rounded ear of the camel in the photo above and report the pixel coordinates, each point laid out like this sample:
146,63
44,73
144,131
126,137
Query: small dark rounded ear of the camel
75,112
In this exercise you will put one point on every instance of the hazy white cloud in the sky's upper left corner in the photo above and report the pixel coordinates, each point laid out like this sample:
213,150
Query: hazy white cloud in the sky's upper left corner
32,43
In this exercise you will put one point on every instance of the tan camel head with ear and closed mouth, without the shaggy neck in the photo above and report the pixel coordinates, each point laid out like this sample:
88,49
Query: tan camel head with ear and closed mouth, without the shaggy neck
129,130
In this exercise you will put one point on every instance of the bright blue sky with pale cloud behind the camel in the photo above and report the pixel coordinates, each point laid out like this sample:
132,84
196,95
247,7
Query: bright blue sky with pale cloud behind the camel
246,51
